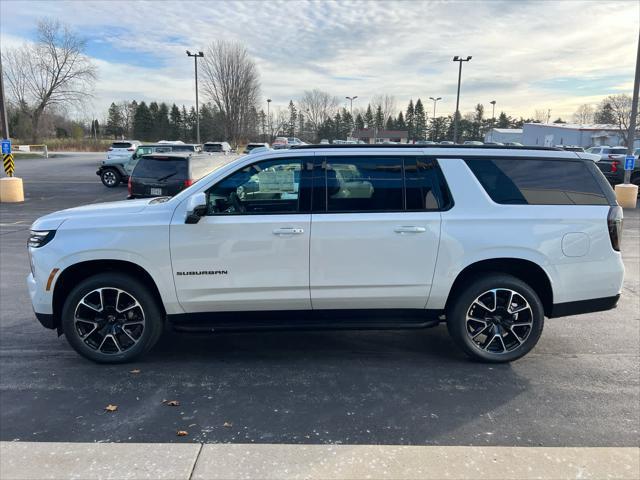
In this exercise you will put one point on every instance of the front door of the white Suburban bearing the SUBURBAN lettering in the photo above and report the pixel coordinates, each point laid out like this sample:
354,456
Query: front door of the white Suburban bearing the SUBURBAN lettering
251,250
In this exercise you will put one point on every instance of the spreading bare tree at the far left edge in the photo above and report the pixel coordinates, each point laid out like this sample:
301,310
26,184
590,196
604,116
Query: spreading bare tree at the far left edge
54,72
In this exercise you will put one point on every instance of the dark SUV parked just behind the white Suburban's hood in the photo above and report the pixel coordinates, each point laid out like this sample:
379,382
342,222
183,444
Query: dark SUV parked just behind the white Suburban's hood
166,174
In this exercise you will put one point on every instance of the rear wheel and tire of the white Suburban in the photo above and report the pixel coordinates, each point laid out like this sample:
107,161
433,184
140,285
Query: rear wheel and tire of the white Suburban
507,332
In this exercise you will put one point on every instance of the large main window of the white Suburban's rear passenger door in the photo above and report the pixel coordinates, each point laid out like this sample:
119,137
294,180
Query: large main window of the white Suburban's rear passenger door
357,184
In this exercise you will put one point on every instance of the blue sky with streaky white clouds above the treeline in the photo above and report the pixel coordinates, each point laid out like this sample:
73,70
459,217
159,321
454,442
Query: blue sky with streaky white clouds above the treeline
527,55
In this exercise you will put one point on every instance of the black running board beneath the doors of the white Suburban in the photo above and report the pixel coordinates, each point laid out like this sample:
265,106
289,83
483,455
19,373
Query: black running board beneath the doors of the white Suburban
391,319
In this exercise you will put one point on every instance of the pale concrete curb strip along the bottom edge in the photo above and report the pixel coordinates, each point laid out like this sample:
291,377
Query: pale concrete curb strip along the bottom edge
34,460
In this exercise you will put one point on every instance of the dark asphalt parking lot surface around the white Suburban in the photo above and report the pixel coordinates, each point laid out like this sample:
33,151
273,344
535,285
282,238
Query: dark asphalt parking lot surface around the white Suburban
579,387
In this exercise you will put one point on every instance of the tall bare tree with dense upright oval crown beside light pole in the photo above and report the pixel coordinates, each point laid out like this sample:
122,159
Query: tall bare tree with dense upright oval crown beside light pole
230,79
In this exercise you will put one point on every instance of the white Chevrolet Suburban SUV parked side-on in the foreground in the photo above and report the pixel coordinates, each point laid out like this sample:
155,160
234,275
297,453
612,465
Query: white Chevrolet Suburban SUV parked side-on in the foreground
489,240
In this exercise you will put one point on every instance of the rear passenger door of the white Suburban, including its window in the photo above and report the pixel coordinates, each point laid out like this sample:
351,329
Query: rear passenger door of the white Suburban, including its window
375,231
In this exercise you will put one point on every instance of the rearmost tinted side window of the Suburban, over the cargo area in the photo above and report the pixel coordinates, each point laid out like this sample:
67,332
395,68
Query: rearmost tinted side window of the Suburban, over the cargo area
538,182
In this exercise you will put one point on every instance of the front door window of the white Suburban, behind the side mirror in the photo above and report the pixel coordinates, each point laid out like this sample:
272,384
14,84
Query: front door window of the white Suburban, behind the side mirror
271,186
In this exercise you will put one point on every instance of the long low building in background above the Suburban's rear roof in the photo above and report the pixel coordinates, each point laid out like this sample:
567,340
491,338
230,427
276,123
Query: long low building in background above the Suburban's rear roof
552,134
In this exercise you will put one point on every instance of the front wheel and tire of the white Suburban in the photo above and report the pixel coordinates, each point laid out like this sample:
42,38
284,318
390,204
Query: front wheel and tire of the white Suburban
111,318
